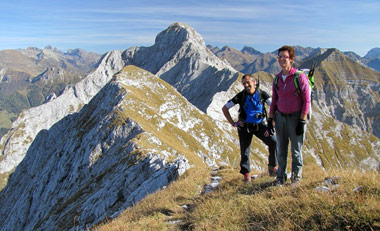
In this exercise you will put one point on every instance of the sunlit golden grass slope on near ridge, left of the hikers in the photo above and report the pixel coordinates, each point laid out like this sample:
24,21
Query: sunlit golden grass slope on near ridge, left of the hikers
142,104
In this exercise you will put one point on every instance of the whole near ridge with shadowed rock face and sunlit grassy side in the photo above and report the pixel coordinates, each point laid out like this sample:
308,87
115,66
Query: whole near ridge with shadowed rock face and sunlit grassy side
134,137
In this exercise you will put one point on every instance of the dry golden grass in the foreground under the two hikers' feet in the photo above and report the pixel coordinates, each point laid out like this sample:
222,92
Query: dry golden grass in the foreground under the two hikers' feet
353,203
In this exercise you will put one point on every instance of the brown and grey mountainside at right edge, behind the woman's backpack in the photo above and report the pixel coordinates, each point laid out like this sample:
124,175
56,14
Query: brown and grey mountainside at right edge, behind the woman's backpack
347,91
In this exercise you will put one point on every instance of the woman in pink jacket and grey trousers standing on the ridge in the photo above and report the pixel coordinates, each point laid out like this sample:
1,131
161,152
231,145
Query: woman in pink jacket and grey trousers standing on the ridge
288,114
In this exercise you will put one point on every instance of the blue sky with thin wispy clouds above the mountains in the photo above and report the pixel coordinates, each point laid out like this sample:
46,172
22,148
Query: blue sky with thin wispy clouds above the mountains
265,25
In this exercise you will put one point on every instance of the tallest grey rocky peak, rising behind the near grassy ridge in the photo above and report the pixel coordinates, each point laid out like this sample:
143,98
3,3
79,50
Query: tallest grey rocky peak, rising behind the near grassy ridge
181,58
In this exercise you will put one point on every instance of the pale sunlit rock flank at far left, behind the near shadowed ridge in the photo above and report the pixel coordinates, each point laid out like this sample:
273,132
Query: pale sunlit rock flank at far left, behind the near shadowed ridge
16,142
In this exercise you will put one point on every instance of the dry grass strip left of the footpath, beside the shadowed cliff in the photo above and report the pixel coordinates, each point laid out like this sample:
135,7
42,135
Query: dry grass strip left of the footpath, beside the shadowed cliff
156,211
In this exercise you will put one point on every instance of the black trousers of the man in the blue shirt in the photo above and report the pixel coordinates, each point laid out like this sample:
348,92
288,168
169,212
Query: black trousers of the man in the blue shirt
245,138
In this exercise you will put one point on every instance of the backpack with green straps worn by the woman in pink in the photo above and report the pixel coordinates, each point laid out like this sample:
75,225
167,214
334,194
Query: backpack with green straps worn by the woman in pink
310,75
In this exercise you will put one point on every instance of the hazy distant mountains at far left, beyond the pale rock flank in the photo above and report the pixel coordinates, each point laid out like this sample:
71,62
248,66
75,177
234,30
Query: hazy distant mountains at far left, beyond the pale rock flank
31,76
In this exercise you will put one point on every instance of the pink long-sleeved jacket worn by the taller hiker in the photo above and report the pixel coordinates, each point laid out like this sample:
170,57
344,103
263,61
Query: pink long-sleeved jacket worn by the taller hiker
286,98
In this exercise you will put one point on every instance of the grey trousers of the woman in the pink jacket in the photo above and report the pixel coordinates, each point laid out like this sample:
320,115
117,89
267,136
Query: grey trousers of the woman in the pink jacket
285,131
